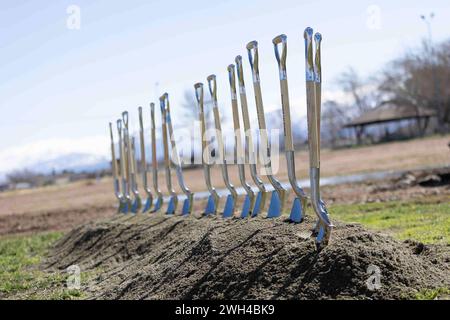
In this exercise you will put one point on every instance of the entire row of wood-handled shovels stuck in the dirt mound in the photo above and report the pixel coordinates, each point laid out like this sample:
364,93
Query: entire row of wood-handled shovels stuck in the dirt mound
125,170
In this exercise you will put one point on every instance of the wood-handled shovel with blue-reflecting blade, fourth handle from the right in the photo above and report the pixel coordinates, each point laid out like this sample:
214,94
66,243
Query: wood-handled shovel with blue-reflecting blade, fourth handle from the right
278,198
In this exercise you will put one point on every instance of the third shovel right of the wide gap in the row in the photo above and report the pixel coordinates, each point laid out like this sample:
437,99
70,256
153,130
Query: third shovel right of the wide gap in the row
238,148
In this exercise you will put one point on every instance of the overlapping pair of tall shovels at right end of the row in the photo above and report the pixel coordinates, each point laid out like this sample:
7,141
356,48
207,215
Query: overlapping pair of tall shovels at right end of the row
313,74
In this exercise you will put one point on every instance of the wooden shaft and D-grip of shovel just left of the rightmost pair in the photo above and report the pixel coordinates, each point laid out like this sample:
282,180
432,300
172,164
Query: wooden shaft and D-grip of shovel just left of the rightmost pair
281,60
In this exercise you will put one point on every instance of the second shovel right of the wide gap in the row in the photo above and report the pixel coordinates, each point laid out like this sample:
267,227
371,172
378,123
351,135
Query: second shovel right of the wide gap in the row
230,204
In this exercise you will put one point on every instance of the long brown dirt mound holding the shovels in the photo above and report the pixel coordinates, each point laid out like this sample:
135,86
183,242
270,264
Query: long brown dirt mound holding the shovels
161,257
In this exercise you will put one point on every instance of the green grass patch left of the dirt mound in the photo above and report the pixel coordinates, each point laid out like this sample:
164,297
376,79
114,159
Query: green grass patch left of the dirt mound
19,277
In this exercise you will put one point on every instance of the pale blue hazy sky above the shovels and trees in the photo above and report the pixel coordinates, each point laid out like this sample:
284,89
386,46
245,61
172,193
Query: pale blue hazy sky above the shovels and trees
60,85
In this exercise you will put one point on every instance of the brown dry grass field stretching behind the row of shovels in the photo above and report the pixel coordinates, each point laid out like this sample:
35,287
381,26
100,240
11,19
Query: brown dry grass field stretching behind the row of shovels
62,207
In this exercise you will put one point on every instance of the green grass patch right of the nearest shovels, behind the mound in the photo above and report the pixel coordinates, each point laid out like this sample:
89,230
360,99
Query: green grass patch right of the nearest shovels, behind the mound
426,222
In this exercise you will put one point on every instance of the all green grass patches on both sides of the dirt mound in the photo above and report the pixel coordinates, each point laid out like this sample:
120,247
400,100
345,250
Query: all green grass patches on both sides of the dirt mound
427,221
